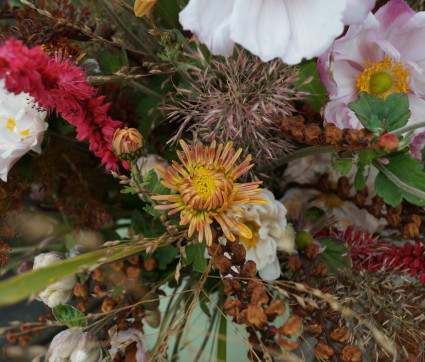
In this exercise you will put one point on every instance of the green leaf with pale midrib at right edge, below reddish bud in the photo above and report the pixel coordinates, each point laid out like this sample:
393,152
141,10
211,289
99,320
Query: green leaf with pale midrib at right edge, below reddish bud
407,169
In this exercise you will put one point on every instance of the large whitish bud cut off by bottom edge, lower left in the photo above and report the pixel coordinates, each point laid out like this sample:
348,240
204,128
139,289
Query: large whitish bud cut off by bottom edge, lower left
71,345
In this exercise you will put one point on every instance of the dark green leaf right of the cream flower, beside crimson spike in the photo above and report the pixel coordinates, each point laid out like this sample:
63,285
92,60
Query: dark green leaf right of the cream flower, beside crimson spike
335,256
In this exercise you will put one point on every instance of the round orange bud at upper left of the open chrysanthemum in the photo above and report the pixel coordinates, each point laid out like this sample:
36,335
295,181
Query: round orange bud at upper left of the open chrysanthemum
127,144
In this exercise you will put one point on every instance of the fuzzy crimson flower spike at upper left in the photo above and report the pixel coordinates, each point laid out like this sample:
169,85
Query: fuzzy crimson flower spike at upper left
62,87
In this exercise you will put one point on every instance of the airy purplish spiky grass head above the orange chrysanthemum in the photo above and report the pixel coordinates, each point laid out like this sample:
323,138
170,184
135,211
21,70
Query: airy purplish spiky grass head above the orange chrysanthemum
240,98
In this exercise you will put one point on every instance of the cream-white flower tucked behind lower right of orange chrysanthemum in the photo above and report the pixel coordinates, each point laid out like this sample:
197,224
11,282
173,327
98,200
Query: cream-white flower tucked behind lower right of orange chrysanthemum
269,233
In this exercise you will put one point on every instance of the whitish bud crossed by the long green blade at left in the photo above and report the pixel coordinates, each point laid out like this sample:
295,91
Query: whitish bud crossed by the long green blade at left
60,291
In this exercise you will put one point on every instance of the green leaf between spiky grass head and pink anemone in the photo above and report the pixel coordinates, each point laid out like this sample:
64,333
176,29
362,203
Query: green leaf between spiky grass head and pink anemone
314,87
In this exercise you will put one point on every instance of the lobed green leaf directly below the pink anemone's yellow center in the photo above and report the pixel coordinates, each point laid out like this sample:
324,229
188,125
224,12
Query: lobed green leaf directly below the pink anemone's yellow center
379,115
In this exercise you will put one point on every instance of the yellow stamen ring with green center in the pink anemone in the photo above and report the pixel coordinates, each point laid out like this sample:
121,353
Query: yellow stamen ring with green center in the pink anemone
383,78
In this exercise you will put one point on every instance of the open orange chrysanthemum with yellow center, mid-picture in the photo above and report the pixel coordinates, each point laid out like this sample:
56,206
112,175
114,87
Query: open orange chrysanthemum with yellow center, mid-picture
206,190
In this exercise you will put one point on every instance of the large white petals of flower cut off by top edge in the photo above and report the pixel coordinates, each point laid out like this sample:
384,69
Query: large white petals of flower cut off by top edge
286,29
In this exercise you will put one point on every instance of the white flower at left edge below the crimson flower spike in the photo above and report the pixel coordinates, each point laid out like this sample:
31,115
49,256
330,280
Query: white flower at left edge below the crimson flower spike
22,128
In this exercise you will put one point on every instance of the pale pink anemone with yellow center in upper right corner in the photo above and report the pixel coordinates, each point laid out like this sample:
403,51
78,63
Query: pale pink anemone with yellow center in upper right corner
390,43
